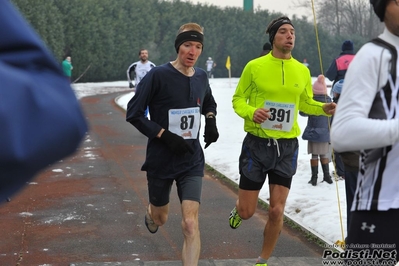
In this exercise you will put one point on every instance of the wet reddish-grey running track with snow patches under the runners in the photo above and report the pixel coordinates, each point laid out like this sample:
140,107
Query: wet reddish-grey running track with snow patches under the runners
89,210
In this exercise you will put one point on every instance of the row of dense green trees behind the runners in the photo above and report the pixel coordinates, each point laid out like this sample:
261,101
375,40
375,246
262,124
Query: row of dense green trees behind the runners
107,35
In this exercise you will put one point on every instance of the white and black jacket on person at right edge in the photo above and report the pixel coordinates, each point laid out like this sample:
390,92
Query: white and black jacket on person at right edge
367,120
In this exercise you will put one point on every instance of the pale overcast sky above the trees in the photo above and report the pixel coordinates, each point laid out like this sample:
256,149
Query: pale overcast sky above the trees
287,7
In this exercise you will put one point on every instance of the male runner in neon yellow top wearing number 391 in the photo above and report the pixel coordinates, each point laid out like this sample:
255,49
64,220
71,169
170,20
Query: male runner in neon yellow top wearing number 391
271,90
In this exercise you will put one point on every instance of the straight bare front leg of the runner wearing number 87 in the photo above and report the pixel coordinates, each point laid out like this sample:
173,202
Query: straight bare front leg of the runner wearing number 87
190,228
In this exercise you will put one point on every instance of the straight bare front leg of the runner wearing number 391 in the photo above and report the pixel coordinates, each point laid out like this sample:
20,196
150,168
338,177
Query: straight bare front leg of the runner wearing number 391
278,197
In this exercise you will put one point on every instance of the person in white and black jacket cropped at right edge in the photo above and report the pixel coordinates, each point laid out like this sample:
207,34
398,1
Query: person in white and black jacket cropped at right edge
367,119
